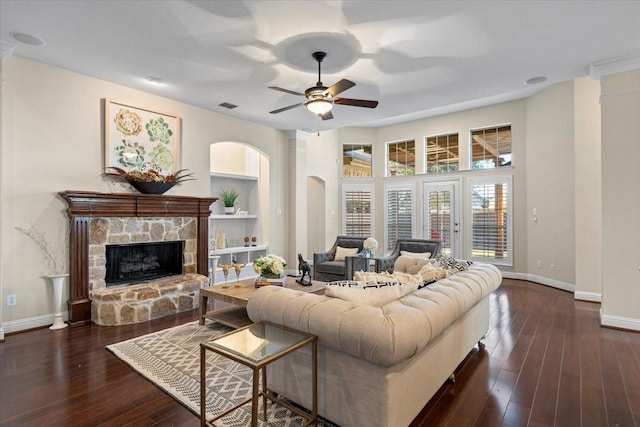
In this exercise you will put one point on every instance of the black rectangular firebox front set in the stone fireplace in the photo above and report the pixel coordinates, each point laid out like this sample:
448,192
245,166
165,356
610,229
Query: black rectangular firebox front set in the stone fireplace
139,262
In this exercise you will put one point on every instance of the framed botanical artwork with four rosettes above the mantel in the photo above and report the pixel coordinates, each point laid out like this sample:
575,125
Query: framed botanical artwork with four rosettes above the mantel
139,138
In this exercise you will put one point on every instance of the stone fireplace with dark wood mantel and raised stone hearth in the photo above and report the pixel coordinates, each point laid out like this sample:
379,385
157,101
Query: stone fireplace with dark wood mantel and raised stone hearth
99,220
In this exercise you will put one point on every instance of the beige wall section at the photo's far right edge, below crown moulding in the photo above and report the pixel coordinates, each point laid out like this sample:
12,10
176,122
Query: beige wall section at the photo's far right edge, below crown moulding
620,102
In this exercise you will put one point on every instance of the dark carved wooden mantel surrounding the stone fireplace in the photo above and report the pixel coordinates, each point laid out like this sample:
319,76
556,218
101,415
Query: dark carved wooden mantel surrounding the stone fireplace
83,205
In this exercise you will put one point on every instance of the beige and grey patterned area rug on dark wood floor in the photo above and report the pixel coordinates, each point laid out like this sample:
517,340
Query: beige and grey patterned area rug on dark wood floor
170,359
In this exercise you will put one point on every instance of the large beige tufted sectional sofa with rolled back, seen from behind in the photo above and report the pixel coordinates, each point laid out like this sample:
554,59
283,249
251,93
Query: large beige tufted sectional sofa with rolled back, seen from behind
379,366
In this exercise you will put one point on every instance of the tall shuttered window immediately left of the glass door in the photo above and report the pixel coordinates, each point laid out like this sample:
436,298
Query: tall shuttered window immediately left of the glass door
399,214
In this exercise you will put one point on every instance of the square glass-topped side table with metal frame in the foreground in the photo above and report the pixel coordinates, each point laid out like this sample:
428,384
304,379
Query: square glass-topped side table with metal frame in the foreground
256,346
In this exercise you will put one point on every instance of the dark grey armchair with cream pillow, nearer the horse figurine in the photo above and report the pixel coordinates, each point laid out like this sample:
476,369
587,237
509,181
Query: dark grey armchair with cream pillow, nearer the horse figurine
327,268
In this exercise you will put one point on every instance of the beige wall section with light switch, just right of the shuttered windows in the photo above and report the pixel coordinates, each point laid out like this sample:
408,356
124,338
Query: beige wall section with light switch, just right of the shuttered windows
550,184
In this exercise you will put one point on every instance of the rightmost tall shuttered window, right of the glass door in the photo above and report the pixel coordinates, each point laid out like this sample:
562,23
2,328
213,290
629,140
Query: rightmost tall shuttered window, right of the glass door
491,214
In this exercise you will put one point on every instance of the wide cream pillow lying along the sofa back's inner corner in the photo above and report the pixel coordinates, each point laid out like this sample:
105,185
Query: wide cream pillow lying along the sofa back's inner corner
375,294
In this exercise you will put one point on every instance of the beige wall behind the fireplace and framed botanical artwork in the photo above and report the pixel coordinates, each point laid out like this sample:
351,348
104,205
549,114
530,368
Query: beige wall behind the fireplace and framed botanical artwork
52,141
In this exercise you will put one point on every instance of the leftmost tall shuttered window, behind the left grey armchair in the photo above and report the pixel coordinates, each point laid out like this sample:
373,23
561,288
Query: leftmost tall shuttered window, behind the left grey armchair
358,210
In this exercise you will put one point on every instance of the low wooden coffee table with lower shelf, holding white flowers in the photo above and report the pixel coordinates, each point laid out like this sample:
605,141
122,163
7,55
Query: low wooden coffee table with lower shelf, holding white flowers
238,296
